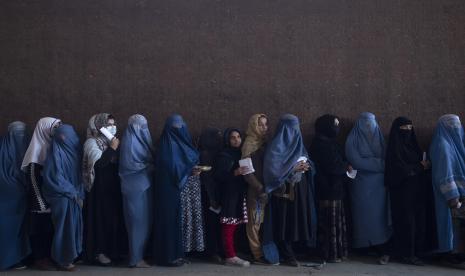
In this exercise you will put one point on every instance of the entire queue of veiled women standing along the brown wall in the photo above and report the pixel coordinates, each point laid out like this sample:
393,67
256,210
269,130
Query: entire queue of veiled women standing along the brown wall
140,204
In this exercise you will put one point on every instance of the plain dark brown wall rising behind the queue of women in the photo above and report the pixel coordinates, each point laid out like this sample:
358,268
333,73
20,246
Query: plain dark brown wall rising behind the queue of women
218,61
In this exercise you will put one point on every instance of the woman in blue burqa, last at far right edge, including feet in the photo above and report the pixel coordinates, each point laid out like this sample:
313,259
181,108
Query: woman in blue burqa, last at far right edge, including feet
448,164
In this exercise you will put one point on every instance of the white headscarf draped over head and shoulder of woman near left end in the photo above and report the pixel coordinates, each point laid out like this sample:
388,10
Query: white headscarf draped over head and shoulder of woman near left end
40,142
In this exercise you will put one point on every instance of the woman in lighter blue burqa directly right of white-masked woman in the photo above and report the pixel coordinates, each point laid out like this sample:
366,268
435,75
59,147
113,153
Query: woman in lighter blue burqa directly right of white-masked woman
136,172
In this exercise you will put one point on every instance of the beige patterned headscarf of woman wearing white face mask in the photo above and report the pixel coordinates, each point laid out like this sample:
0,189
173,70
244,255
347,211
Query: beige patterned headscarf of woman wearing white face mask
94,146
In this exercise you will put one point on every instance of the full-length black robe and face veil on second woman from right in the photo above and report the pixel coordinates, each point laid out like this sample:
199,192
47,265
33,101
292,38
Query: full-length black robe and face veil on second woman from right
410,192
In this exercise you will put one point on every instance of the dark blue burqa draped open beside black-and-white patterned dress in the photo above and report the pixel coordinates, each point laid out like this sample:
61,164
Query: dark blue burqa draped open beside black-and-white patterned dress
175,163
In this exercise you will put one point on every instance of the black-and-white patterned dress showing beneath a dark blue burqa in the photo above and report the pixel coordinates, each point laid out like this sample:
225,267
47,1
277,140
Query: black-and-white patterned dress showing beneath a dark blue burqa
191,215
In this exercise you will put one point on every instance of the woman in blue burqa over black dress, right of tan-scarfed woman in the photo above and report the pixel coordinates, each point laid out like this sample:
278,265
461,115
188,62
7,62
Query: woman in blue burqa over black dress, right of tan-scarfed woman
288,176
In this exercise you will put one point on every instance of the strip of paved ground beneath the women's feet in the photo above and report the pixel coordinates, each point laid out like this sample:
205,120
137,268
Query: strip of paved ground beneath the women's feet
356,266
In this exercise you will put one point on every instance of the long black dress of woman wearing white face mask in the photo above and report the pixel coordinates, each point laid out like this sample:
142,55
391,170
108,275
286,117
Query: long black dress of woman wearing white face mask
105,231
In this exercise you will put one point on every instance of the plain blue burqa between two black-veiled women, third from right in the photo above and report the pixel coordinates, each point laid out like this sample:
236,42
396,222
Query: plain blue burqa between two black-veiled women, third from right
371,223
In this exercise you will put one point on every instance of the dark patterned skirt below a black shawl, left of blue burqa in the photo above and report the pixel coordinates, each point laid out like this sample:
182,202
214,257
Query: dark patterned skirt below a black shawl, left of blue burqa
332,230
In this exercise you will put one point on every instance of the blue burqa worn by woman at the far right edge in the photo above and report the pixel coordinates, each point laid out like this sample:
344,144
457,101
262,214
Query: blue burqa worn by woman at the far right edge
447,153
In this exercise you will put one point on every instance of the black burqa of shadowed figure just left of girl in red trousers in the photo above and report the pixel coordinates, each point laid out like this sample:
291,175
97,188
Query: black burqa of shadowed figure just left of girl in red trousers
210,144
